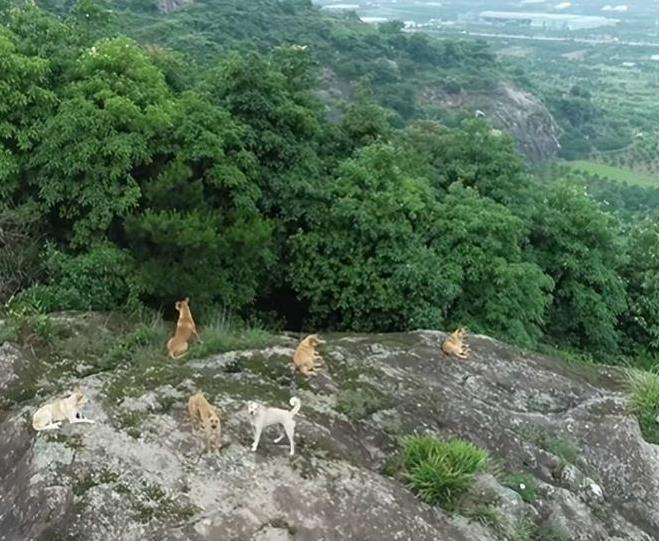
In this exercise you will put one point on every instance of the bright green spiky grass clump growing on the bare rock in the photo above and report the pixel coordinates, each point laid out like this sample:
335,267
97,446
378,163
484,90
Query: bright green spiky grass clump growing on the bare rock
439,472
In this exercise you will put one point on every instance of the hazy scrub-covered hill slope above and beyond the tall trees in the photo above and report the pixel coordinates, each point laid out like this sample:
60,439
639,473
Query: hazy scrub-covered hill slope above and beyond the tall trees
394,64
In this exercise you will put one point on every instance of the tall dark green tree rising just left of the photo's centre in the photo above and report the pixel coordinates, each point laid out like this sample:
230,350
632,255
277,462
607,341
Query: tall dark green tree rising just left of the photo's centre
271,97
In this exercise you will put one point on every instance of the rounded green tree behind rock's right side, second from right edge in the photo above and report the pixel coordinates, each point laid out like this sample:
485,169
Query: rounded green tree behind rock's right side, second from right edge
579,246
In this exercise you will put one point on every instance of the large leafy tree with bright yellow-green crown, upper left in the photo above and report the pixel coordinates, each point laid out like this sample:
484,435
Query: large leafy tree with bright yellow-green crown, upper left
84,169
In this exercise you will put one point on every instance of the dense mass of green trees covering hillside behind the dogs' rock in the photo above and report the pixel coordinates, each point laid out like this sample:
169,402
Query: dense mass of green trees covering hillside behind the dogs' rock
131,177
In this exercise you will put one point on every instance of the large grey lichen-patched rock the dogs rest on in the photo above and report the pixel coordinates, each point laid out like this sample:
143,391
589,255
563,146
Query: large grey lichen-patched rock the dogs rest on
139,473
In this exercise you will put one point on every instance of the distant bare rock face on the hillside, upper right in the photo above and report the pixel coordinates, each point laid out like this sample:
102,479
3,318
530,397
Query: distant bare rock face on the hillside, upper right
510,109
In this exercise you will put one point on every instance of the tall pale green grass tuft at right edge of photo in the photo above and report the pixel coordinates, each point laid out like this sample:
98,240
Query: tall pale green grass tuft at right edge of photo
644,401
